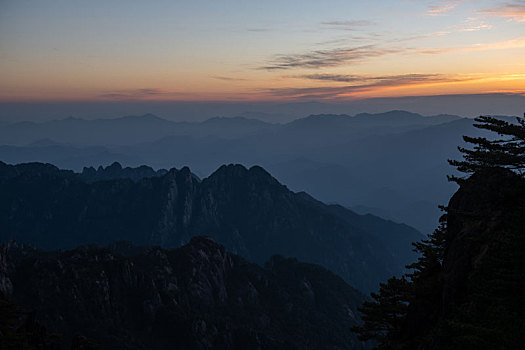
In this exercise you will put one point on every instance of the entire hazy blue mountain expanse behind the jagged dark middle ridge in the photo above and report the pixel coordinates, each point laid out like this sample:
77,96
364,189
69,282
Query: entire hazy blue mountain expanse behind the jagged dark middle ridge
393,163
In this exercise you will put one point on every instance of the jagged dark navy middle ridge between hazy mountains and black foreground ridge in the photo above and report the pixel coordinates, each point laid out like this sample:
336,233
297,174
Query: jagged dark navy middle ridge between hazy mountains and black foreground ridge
247,210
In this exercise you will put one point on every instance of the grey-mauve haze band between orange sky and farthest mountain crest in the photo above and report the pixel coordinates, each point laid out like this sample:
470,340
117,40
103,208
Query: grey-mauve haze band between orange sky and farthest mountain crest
464,104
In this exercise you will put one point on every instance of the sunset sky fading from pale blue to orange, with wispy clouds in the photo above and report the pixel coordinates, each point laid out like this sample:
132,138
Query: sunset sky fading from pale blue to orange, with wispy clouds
234,50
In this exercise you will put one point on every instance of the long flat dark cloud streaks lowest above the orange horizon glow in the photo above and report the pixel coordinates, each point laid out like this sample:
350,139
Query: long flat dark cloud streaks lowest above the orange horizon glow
362,83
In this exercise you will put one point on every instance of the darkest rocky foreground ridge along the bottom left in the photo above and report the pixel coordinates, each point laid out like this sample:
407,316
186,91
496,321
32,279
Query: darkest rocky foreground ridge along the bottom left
195,297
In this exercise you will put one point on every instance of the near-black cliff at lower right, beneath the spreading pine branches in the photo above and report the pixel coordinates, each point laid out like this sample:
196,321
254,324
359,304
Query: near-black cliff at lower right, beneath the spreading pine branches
476,301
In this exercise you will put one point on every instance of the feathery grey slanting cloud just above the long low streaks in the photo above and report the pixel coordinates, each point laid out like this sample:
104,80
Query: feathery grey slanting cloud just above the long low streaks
328,58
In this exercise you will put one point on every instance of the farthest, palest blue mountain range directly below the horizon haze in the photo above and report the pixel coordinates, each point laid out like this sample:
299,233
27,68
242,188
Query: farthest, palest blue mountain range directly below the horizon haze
131,130
